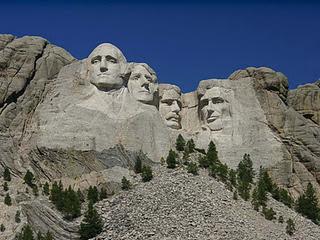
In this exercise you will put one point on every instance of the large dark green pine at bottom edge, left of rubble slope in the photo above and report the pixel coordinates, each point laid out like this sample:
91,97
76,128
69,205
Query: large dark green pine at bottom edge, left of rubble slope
91,225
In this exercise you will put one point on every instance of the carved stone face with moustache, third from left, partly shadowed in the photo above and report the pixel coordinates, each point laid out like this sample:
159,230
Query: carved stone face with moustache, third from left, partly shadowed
170,107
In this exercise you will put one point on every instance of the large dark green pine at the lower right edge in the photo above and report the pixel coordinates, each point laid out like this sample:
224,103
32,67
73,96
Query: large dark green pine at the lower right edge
308,204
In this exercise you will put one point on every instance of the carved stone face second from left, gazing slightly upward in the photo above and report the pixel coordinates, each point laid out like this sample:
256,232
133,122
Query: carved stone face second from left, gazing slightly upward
142,84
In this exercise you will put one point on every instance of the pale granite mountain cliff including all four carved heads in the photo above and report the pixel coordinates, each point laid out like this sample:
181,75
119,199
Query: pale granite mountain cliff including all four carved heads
86,121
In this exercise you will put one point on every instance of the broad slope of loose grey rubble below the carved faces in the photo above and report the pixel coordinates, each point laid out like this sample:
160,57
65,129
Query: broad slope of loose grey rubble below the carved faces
178,205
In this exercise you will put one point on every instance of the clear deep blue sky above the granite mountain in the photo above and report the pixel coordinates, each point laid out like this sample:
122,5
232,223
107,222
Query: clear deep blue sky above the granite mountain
184,41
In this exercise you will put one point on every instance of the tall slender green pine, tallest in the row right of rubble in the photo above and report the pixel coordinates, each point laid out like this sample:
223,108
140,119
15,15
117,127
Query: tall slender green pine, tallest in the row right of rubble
245,176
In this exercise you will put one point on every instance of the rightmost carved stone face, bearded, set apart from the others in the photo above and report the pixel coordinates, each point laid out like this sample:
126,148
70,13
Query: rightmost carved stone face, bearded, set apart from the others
214,108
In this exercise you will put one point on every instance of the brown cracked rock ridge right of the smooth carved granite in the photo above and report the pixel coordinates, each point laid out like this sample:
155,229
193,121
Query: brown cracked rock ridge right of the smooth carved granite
299,136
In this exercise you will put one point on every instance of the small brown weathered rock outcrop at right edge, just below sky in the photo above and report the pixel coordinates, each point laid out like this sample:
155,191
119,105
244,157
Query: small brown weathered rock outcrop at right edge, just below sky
306,100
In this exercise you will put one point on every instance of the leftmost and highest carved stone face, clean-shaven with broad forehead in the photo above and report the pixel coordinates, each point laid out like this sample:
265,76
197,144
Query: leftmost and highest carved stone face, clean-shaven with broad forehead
106,66
